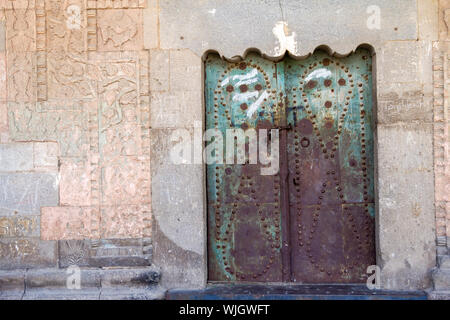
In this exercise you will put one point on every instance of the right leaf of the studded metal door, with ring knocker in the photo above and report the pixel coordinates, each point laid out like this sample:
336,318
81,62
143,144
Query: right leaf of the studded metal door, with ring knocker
331,167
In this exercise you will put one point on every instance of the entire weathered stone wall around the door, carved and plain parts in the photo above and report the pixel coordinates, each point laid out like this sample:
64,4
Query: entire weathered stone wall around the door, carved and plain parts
90,92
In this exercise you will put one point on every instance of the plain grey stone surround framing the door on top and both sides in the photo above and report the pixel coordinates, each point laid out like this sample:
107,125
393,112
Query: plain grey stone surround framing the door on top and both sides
402,46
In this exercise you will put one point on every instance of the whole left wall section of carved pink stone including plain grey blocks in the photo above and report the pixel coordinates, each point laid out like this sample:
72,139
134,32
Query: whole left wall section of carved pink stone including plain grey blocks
75,152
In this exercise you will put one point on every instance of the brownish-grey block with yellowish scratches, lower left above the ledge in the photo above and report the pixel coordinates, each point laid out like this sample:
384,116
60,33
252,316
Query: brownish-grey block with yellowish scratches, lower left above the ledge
27,253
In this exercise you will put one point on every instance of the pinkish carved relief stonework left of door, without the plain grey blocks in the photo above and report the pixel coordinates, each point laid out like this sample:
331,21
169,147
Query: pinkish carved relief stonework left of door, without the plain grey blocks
94,105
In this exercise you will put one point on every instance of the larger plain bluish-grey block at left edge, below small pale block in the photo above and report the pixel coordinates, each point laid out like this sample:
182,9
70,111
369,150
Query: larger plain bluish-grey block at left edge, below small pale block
26,193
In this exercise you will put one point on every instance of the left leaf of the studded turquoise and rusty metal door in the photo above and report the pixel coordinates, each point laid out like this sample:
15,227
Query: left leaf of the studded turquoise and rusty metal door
244,218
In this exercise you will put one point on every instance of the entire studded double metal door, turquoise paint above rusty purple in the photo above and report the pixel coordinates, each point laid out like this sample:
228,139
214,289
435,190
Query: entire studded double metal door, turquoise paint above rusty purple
313,222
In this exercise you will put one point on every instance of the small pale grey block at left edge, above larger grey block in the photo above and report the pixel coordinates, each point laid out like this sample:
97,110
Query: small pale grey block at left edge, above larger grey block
16,157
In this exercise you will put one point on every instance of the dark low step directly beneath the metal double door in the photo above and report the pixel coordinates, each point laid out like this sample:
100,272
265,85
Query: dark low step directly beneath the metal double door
292,292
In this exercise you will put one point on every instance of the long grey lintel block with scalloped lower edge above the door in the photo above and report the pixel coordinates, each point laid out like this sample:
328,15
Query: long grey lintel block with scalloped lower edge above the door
234,26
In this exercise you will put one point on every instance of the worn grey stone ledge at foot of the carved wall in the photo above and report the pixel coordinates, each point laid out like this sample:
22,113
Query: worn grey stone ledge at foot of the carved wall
95,284
